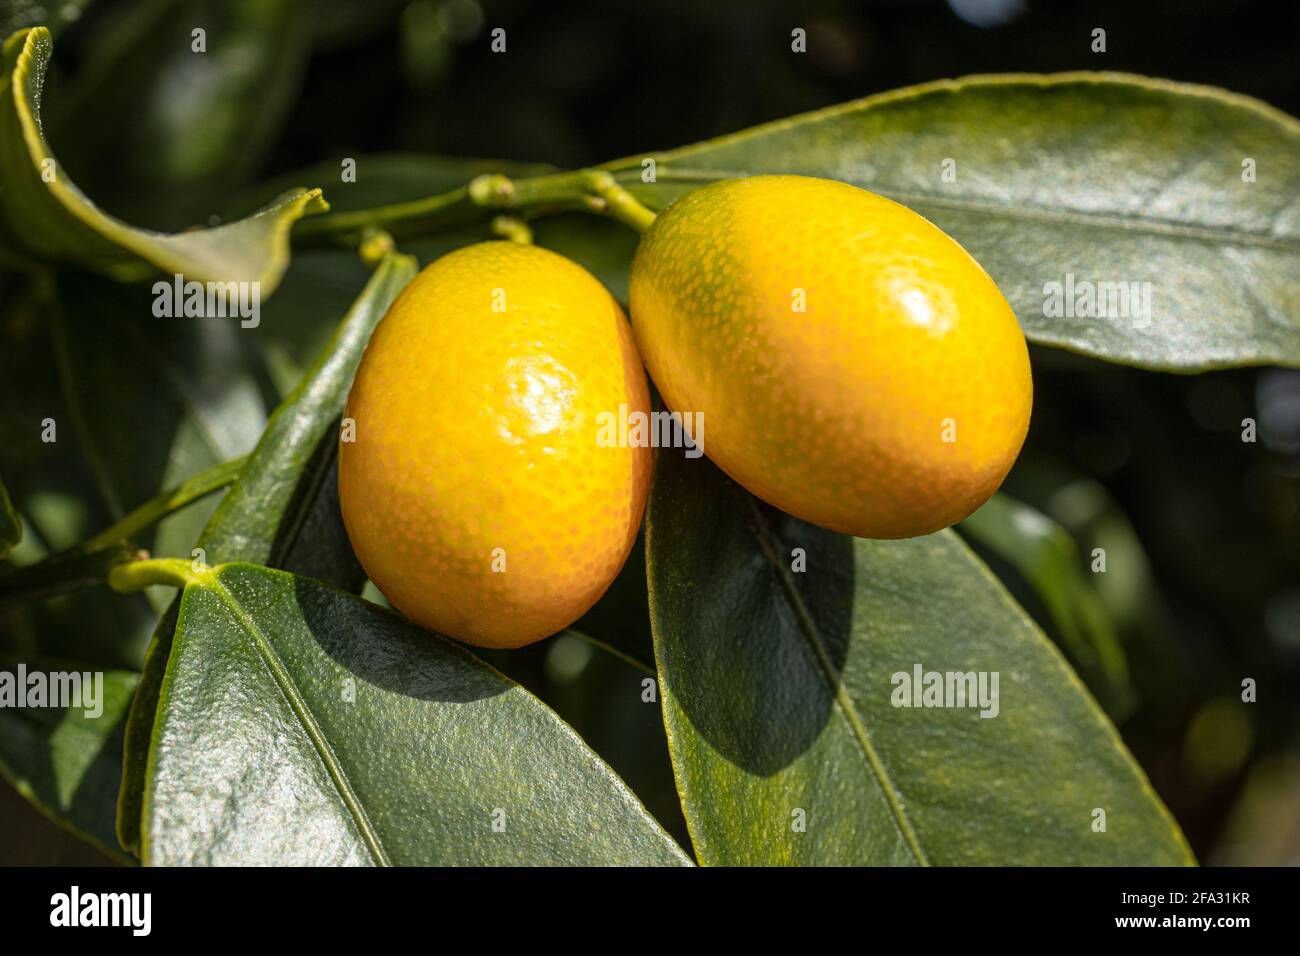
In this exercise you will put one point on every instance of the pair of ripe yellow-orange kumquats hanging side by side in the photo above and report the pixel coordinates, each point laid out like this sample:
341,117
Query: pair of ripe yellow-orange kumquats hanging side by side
853,366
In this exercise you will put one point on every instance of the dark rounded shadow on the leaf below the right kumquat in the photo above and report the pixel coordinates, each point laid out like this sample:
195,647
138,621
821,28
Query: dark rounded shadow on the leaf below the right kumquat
761,607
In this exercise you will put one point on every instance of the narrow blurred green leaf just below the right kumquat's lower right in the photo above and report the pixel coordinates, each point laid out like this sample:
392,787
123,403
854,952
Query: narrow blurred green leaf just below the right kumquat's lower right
1048,559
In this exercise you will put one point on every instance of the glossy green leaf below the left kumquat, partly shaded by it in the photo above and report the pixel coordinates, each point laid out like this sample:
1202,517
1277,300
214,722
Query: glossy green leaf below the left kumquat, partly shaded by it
357,738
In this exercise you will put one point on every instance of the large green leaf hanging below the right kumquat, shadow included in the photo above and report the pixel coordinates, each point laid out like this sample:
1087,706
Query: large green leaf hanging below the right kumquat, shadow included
779,690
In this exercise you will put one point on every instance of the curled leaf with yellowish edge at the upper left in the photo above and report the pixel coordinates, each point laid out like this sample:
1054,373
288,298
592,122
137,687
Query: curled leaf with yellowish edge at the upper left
50,217
